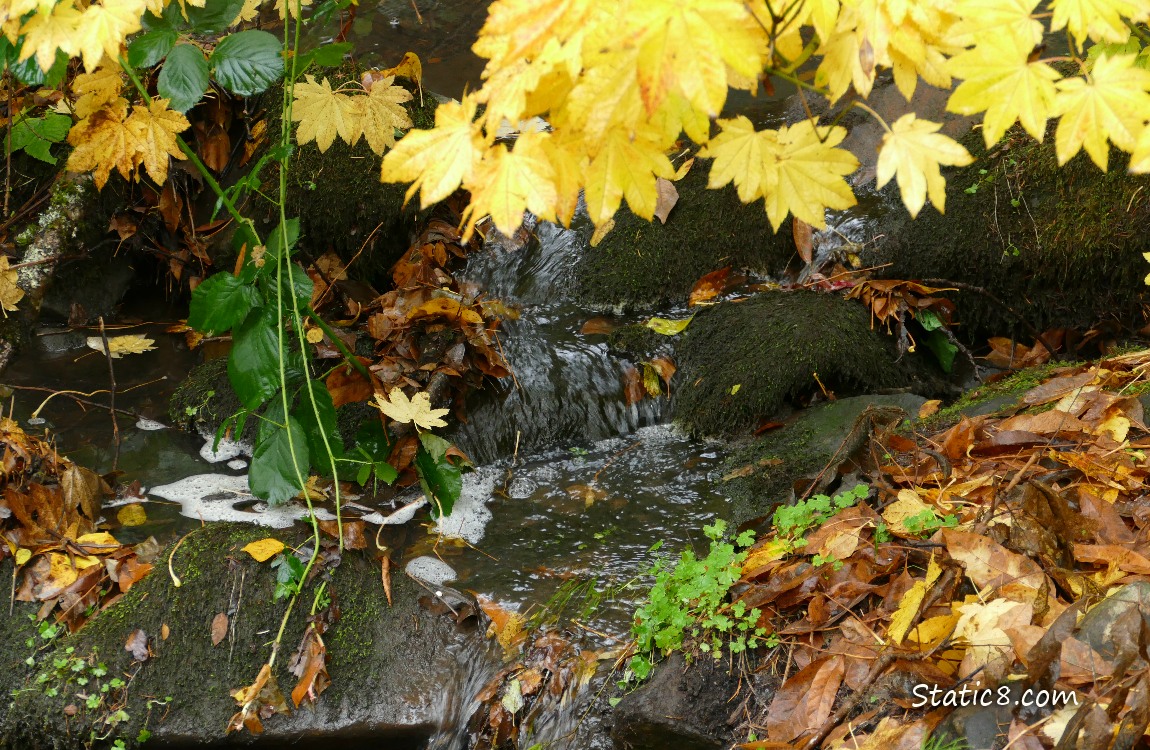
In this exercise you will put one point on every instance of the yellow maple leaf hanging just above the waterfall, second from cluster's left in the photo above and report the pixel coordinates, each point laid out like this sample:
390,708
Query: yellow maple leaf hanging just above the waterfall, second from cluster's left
509,182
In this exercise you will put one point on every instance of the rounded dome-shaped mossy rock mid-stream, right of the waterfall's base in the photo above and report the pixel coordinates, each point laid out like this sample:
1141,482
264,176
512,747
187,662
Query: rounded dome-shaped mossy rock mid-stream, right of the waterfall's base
740,362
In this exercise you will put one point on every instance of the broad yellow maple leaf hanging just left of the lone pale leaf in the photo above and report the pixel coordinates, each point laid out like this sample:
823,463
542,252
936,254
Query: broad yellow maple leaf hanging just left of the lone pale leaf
804,174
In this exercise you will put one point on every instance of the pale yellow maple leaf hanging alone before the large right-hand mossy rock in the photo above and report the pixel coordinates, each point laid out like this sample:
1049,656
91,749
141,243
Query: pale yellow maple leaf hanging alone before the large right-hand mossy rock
914,150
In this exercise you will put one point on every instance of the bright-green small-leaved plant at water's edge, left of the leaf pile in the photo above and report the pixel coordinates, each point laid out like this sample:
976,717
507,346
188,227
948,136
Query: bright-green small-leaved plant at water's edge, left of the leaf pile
688,607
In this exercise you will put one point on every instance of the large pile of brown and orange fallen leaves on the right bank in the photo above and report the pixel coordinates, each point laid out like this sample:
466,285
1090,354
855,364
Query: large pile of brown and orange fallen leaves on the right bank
1009,554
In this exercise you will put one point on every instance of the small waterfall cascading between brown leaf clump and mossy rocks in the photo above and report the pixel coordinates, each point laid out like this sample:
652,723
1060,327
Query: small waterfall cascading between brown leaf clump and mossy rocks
566,388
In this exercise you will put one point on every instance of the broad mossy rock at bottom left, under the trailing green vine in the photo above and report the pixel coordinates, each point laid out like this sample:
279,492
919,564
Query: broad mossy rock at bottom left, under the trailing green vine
388,663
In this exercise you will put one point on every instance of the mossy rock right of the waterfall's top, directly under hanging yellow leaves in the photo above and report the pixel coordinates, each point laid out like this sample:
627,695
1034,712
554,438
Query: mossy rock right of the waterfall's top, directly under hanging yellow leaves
642,265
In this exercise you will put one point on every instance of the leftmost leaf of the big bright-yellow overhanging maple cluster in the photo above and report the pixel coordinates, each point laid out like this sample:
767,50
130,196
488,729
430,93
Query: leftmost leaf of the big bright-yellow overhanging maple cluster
436,162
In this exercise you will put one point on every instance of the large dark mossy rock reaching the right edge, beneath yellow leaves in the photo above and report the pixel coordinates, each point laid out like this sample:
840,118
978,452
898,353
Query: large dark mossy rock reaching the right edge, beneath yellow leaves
1061,246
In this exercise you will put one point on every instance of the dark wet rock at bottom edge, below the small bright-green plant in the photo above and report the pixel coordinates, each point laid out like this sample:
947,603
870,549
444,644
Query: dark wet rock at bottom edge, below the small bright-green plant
683,707
